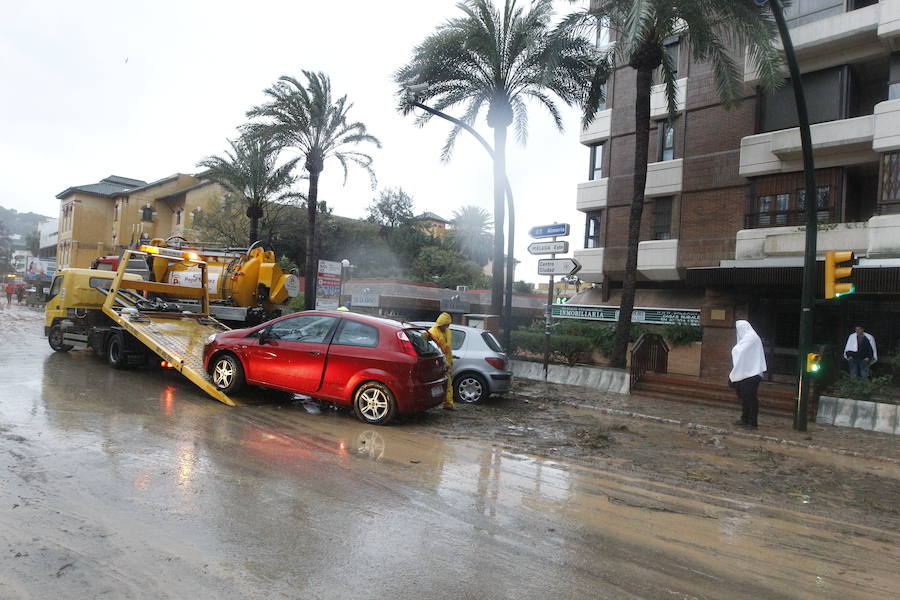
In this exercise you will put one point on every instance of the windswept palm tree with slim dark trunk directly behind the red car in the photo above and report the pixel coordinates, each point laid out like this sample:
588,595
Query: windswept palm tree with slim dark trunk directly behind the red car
310,120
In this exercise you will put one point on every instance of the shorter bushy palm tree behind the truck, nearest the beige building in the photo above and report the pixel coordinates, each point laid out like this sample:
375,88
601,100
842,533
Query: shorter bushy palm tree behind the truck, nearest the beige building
250,171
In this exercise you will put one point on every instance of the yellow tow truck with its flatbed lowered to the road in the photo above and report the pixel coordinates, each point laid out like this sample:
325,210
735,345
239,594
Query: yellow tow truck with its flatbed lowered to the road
127,320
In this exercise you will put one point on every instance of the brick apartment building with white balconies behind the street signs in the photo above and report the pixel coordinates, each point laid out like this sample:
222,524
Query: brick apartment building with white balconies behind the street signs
721,232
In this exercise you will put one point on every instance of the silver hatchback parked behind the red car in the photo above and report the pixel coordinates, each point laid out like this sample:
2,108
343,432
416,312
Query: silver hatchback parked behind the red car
480,367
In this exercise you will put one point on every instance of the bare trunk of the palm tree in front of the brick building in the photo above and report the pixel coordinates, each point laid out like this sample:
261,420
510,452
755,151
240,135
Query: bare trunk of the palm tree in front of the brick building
641,151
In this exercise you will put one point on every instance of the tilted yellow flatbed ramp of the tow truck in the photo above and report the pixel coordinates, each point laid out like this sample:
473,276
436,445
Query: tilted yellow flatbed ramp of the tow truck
176,337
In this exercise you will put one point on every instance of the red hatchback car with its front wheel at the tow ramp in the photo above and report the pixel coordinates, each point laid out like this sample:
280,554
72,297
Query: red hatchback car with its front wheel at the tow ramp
380,367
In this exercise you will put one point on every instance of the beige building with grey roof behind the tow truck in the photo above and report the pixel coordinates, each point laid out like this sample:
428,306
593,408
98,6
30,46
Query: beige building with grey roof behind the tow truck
102,218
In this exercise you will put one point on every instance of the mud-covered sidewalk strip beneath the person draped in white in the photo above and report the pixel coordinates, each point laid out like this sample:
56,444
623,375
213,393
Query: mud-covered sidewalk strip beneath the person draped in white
772,429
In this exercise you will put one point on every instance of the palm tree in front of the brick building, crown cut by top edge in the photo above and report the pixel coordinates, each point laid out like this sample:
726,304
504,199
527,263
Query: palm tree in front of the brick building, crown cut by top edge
712,29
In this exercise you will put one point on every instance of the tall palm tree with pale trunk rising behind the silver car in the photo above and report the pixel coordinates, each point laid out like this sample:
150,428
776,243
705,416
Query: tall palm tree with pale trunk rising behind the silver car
498,59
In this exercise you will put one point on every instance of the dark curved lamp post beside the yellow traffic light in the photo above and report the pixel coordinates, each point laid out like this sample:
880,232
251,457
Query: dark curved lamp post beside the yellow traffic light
807,300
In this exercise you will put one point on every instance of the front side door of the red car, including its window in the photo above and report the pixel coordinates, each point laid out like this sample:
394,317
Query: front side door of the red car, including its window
292,353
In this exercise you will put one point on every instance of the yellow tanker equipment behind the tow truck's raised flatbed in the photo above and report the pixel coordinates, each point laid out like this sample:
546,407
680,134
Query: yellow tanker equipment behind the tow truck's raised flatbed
248,278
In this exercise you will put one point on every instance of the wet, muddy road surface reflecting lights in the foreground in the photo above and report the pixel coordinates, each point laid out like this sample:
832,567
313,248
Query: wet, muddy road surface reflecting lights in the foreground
131,484
